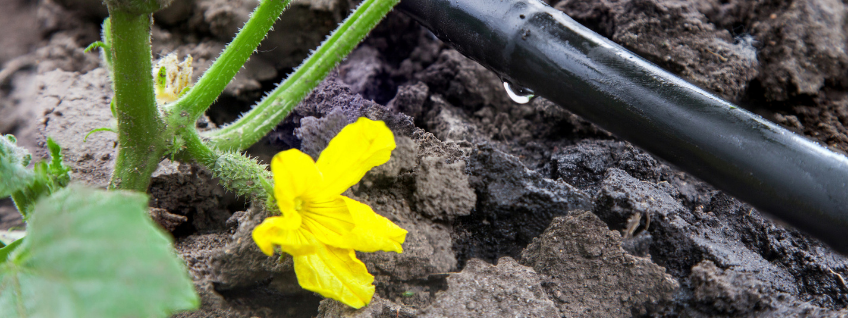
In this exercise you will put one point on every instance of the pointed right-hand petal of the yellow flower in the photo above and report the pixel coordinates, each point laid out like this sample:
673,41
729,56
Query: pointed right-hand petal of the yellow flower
373,232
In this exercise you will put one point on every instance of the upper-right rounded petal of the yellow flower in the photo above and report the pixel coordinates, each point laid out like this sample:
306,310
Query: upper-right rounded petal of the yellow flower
355,150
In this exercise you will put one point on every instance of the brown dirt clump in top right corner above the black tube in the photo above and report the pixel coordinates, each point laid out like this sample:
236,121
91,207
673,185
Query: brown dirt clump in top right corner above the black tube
801,44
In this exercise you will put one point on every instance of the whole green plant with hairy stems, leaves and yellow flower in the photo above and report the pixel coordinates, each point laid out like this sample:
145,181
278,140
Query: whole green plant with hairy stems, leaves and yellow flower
96,253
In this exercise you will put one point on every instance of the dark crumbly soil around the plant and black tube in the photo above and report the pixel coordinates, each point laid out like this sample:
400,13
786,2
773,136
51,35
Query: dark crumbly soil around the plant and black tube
512,210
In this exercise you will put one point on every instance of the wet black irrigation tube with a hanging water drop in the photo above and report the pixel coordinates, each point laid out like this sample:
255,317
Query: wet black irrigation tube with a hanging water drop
528,42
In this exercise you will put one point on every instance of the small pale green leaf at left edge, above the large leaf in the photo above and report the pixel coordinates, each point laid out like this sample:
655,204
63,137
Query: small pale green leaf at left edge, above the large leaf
13,170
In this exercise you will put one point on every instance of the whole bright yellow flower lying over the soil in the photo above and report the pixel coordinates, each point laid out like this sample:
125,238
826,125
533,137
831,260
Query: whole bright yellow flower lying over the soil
319,227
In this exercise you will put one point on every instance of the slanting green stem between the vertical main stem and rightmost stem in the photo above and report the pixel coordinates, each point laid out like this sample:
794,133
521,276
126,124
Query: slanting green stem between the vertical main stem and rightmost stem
215,79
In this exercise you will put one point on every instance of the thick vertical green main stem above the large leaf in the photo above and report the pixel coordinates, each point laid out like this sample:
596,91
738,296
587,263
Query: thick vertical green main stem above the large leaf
140,129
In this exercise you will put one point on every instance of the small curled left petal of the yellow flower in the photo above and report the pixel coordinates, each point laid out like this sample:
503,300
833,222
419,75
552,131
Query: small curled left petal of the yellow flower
277,231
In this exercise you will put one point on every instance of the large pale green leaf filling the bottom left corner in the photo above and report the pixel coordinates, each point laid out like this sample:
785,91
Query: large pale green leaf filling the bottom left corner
93,253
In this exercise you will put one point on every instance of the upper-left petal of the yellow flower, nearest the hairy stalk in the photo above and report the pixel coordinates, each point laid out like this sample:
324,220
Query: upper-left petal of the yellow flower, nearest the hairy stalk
295,178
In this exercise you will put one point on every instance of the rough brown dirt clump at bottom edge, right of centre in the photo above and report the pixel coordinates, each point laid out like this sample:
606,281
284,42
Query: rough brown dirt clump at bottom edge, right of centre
587,273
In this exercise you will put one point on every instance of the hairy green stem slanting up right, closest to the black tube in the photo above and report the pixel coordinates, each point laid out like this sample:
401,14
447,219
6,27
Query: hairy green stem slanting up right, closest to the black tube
275,106
